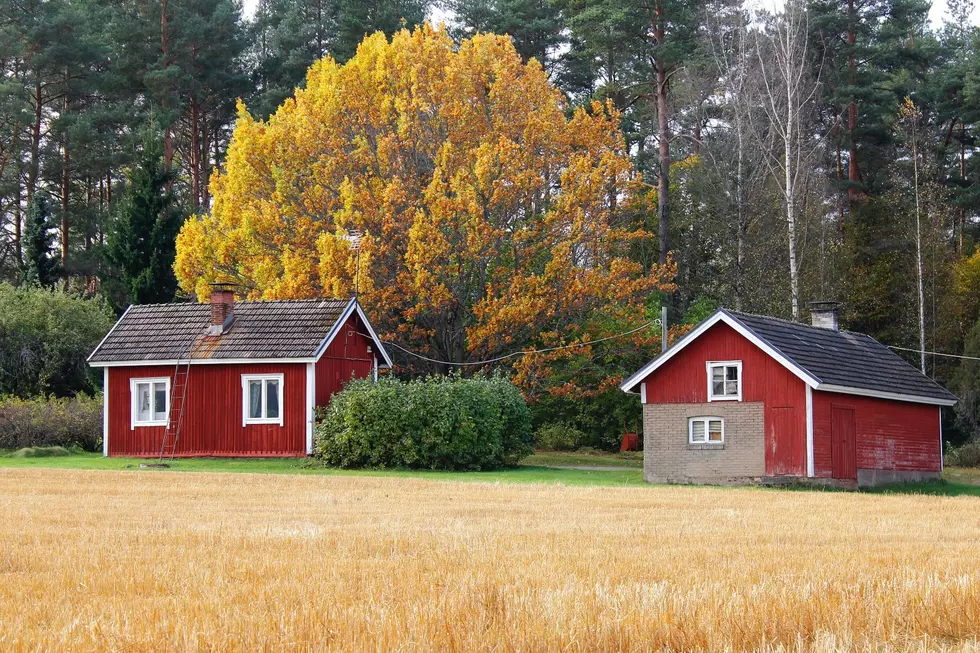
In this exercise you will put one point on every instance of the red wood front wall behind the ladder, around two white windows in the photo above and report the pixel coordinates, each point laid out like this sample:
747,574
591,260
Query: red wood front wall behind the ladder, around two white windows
213,413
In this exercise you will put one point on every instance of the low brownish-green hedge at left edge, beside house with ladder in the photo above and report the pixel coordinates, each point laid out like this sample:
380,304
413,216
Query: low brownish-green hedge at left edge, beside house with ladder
49,422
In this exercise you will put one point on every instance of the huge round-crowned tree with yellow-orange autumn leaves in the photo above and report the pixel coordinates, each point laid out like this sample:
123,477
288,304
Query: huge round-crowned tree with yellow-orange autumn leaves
493,218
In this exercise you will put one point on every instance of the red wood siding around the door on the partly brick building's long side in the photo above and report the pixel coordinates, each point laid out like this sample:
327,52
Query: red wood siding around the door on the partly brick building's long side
890,434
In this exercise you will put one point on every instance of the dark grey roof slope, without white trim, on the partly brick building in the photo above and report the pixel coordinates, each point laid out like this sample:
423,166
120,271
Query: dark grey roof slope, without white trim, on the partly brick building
843,358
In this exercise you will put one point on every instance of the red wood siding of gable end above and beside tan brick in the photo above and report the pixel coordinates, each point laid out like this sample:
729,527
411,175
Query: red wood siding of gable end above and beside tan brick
684,379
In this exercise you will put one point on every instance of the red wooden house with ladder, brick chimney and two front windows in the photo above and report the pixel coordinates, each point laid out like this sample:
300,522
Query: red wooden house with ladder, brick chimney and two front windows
227,379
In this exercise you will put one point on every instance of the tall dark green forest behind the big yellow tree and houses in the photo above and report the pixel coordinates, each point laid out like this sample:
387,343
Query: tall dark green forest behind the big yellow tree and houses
826,151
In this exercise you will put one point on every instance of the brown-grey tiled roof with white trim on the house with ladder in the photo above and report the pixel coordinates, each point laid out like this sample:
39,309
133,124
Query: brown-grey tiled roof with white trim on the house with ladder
262,330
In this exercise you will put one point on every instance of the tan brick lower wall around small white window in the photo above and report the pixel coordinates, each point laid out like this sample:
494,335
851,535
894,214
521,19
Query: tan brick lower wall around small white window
668,458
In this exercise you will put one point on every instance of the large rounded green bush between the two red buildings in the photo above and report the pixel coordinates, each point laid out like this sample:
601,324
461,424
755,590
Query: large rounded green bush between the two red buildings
434,423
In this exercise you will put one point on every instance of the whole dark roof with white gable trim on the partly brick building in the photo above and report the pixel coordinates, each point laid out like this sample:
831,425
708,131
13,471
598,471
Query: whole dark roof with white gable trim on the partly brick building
824,359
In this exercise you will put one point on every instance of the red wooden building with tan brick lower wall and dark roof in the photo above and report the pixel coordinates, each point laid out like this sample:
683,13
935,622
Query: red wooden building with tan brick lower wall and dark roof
745,398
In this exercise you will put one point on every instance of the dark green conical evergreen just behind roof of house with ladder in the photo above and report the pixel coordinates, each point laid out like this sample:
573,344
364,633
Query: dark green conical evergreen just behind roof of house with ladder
141,245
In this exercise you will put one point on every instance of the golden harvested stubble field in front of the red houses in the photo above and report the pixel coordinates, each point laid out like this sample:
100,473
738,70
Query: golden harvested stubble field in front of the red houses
135,561
